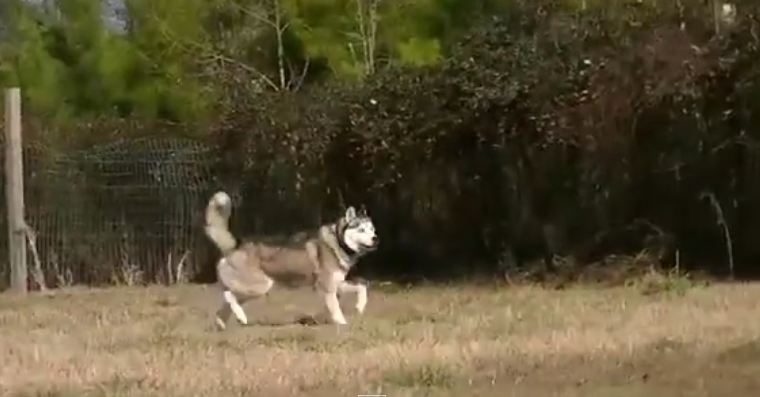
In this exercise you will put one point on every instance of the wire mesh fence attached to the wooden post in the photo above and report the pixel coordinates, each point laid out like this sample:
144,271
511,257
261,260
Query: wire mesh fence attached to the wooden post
129,211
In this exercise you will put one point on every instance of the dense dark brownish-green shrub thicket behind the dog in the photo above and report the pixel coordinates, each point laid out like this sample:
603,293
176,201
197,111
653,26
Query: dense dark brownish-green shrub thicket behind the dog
544,130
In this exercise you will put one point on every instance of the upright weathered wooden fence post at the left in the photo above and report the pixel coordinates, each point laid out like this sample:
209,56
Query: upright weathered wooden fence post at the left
14,191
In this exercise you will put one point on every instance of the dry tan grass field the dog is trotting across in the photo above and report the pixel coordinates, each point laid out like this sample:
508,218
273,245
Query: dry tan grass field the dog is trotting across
418,341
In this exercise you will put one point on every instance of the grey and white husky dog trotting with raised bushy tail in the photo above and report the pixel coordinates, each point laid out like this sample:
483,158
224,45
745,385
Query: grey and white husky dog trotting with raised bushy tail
319,259
